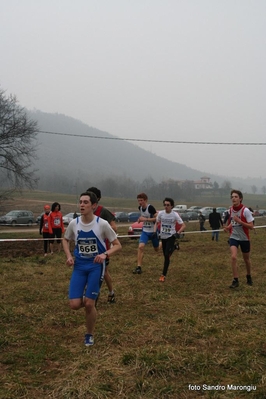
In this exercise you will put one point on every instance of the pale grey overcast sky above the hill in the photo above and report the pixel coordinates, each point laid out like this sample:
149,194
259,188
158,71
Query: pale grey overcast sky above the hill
182,70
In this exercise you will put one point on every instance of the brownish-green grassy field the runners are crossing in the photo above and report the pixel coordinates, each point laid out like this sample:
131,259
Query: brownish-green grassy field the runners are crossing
179,339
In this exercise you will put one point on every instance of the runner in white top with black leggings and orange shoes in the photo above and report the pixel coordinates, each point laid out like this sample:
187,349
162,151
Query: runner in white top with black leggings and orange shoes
168,221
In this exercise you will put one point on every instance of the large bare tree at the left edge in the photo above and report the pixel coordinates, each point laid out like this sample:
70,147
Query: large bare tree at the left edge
17,146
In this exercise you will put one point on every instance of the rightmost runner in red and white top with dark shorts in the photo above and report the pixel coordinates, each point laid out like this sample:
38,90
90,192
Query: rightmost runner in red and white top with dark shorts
239,223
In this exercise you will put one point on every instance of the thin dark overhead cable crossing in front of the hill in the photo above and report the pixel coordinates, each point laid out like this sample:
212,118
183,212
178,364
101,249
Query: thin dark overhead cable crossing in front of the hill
150,140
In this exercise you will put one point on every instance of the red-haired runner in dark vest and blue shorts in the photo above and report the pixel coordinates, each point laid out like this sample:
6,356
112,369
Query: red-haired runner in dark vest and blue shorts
148,217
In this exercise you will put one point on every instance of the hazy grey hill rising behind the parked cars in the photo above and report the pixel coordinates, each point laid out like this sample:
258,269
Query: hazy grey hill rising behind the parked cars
72,154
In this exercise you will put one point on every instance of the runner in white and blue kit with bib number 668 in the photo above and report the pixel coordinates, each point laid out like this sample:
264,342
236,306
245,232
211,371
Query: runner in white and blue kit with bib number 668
89,234
